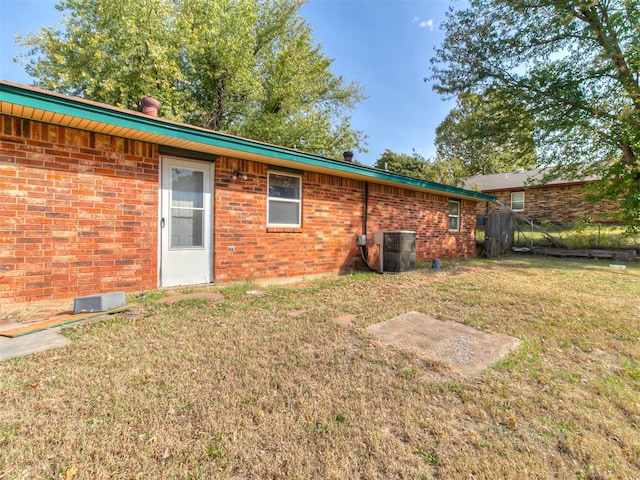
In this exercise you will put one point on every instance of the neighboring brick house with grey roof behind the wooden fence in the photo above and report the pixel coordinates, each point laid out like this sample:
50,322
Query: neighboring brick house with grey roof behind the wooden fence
559,202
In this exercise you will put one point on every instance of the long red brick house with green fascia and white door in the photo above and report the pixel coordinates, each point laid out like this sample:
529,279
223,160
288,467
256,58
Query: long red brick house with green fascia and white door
97,199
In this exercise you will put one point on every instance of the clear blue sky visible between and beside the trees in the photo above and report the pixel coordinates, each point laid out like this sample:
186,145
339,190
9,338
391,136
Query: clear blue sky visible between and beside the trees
384,45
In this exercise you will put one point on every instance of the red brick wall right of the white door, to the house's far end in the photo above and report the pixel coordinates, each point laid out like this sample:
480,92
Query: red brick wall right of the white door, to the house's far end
332,217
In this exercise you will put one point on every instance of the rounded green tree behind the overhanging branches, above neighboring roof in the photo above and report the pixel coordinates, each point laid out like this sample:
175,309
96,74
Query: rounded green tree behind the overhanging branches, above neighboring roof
487,133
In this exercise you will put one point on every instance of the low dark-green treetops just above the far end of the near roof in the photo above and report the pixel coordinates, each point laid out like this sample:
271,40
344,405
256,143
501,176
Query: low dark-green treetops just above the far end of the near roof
415,165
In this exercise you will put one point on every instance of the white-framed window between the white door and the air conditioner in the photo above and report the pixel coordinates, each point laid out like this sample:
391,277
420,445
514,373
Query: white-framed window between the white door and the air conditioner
284,199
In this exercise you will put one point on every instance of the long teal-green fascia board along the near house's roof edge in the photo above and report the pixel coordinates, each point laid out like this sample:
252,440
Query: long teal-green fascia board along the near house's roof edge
29,97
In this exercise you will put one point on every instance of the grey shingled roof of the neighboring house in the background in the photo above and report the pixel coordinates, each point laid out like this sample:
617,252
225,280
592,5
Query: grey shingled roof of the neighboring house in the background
516,180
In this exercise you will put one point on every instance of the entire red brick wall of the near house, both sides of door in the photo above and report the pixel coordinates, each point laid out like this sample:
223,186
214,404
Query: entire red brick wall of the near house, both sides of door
80,216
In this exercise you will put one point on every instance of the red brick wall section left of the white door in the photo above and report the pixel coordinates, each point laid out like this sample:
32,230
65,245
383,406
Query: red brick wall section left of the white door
78,212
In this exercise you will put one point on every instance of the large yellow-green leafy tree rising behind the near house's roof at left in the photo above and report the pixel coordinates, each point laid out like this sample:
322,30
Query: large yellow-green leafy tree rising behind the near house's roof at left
245,67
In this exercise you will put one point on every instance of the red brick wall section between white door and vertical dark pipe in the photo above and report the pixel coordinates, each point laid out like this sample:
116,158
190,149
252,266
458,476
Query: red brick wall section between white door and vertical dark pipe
326,242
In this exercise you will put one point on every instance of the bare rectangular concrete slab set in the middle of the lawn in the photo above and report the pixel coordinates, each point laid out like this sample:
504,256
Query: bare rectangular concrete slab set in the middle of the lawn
467,350
